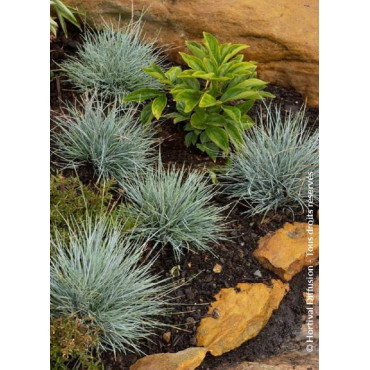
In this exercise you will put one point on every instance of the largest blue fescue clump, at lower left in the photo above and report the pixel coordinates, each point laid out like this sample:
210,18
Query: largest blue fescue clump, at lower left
98,277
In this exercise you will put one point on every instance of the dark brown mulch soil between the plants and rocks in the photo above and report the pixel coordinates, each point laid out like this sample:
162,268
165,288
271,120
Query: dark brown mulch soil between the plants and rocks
235,255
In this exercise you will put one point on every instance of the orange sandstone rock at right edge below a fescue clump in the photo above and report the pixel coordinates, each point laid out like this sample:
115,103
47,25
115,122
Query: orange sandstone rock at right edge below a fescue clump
284,252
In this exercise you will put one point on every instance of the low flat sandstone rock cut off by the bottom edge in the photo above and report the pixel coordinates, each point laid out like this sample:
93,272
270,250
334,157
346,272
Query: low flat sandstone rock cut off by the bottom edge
187,359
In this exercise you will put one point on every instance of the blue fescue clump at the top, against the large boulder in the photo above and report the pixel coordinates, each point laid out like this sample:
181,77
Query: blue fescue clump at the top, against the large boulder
110,61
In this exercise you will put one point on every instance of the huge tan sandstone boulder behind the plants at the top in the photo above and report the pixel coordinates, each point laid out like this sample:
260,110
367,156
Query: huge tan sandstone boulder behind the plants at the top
283,35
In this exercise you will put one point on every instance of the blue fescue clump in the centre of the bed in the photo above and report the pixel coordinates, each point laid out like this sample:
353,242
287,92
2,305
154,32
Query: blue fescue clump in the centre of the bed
176,208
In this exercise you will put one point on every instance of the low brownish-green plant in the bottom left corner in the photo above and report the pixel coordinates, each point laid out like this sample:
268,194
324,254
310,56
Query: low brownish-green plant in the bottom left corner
72,341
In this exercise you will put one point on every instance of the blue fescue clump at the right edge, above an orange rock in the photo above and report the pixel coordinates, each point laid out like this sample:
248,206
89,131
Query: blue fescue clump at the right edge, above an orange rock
270,173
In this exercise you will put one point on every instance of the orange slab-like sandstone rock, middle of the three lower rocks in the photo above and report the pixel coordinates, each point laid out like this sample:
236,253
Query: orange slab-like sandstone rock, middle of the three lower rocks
238,314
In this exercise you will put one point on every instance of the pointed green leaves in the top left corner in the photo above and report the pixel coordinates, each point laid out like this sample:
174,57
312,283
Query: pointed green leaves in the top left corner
63,12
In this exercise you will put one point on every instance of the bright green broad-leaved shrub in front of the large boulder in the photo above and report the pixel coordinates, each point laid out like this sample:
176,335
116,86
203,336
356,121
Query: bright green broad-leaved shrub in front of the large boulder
213,96
